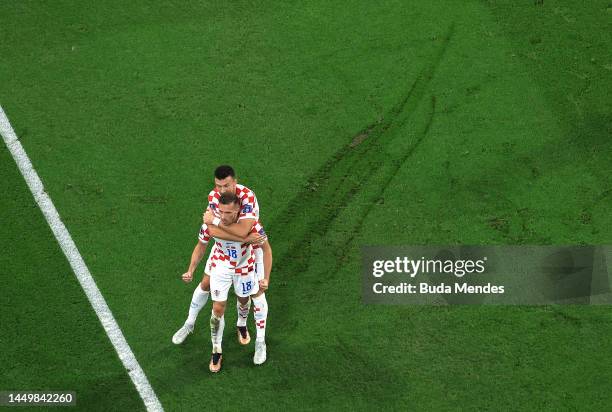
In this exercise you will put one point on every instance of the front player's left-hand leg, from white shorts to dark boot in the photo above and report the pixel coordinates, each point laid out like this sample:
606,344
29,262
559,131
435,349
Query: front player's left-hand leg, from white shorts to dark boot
219,283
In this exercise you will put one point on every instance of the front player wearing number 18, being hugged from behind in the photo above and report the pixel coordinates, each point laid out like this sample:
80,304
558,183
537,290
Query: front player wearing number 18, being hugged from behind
232,263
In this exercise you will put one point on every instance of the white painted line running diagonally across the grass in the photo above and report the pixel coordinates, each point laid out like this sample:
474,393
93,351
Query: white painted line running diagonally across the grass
78,266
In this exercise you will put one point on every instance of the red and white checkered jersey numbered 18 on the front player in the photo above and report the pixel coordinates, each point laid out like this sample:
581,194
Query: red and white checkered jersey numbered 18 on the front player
230,254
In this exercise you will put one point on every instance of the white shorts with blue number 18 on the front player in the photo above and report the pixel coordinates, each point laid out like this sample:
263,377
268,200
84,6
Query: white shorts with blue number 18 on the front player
221,278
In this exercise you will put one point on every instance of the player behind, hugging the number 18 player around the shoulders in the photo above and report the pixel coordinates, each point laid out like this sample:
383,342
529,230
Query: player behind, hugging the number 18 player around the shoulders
240,231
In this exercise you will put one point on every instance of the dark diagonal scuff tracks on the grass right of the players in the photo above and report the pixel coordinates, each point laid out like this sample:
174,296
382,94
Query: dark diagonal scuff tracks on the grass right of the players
367,164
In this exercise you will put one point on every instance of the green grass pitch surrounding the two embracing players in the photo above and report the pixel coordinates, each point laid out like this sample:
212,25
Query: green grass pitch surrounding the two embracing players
402,123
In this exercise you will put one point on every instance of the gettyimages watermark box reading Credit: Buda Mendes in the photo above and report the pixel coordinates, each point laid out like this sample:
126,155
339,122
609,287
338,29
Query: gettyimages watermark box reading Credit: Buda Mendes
487,275
